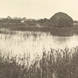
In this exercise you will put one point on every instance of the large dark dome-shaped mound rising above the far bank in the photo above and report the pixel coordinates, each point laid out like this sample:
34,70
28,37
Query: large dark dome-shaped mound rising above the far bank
61,20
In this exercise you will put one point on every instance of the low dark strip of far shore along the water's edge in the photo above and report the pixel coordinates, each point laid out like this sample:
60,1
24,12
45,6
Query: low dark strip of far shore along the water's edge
64,31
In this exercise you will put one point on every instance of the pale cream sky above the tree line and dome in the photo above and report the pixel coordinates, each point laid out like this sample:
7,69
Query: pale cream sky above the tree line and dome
38,9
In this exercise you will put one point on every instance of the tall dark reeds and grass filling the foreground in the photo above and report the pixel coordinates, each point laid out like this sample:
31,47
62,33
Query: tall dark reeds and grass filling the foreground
53,64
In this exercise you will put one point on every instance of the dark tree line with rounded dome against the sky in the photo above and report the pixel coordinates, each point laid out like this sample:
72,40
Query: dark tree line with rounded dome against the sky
59,19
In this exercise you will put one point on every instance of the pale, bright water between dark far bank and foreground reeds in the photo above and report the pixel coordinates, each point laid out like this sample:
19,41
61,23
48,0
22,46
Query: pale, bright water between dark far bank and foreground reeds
33,43
